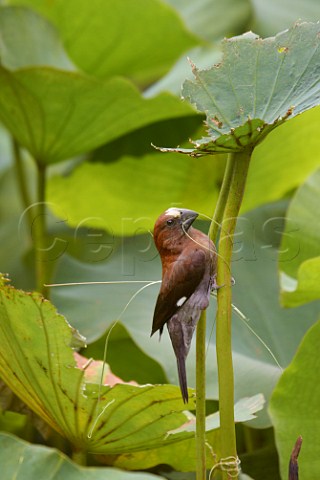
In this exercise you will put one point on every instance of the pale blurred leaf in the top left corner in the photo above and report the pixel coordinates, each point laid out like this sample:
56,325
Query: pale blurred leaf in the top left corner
28,39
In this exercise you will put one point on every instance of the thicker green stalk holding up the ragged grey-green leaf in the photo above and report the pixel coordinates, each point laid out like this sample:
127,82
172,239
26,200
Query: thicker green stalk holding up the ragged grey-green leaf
240,164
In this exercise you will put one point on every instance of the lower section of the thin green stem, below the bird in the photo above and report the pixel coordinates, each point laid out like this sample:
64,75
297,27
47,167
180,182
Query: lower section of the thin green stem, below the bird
201,397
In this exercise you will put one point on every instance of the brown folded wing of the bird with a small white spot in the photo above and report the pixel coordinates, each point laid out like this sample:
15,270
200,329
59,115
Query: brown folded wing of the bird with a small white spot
178,284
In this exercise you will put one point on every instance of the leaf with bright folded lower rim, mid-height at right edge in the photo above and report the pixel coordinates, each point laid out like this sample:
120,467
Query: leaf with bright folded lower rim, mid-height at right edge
300,277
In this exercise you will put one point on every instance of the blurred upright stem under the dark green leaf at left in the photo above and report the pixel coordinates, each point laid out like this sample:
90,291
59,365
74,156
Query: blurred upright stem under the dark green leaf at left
39,228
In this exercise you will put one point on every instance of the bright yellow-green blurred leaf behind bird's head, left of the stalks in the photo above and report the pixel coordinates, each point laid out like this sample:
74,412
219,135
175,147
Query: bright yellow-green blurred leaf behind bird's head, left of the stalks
126,196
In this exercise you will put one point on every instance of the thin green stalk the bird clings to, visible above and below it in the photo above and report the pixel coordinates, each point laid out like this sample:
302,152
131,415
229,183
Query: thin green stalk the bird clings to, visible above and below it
201,333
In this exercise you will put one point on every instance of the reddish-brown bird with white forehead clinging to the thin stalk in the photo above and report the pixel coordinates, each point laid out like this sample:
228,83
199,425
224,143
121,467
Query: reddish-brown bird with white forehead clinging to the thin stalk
188,259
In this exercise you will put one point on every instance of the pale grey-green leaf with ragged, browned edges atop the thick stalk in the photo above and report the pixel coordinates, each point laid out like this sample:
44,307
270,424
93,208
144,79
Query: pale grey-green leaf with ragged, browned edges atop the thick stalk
257,86
